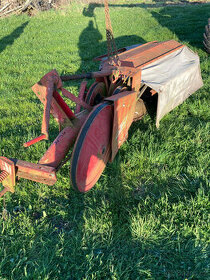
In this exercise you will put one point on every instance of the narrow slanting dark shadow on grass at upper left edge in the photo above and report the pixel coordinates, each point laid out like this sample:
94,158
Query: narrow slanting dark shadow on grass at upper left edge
9,39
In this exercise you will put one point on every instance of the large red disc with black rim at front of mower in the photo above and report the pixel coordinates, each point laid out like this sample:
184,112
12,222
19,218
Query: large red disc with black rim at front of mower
92,149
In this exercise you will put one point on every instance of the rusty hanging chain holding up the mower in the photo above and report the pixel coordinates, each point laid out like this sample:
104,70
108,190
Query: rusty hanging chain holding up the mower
111,45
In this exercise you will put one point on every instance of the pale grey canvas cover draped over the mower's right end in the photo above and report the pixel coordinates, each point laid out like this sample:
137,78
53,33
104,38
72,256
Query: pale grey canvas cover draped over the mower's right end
175,77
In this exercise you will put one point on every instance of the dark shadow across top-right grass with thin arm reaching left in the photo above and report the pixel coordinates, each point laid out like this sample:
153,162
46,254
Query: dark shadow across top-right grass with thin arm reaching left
180,19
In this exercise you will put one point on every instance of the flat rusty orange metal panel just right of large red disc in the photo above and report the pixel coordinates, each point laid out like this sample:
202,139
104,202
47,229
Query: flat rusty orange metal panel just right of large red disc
124,108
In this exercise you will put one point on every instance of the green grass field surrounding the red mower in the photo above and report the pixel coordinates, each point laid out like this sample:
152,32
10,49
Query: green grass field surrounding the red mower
148,215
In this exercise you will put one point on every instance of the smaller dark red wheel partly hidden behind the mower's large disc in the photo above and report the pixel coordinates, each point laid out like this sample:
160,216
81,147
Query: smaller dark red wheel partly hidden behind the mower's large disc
96,93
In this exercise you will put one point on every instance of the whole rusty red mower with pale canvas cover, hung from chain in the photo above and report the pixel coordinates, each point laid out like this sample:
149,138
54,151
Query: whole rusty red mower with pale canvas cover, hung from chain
129,81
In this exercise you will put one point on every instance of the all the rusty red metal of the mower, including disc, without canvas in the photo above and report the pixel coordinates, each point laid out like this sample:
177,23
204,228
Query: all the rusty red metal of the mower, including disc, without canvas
122,108
